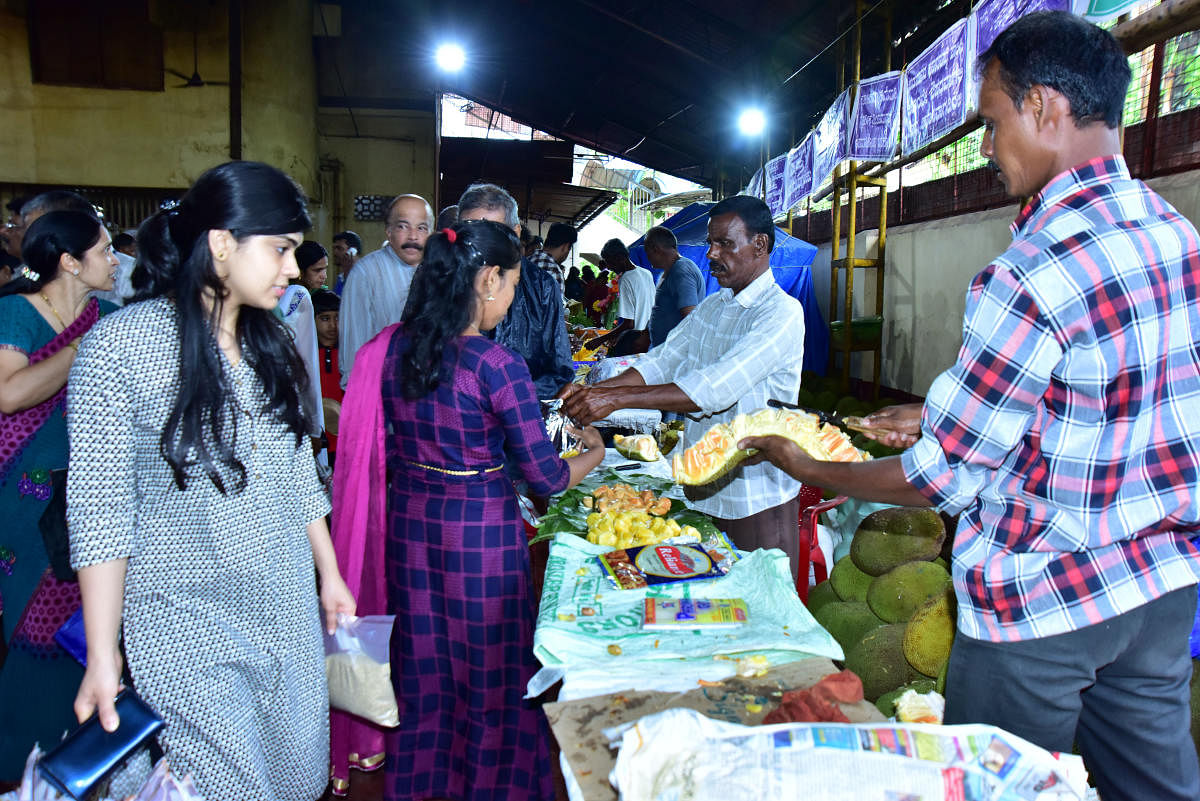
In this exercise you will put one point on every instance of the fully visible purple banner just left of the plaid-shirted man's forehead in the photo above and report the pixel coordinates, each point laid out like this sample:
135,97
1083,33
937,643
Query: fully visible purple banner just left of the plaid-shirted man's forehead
935,89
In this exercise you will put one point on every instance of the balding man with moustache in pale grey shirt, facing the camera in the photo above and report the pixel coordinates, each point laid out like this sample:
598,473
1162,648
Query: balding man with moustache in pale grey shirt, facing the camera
377,291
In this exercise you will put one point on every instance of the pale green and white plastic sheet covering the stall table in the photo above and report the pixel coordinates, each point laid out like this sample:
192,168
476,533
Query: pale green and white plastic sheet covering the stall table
590,635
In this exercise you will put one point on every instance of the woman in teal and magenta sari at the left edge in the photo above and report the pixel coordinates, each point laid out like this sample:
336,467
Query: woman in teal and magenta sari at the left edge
44,314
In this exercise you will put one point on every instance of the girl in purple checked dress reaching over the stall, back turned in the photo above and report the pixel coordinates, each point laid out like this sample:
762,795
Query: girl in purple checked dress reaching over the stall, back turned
455,408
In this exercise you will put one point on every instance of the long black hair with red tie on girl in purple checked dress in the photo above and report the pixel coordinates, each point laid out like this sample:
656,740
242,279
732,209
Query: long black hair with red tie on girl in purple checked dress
442,300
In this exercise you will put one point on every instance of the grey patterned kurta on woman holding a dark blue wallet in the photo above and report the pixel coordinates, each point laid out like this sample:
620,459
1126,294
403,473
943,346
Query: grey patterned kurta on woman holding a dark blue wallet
221,617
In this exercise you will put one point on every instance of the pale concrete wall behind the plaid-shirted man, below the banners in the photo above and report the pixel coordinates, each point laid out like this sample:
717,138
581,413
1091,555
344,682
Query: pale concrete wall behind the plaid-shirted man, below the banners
929,267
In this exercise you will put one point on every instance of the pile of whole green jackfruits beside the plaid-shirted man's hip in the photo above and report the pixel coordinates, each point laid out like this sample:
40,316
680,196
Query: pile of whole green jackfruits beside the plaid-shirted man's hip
890,604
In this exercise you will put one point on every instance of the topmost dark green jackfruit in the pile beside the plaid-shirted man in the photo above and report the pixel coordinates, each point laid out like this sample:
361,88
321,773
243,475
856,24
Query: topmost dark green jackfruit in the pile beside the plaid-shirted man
893,537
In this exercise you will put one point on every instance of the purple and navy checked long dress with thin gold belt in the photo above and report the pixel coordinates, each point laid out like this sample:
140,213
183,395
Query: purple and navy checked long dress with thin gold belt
459,583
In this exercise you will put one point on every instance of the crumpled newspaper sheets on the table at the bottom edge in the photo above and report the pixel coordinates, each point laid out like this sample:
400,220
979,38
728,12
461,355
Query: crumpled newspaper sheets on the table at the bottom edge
832,762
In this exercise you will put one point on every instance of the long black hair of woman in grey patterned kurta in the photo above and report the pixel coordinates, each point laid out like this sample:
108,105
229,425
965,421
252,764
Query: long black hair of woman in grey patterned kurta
175,261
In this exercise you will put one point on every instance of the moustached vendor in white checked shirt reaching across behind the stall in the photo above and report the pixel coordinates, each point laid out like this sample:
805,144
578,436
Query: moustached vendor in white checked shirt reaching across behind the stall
741,348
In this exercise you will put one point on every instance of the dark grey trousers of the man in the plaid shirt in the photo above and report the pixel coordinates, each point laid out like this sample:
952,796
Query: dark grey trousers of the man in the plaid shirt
1119,690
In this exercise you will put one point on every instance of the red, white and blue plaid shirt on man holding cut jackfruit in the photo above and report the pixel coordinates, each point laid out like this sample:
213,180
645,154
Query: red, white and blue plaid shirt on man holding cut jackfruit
1069,431
